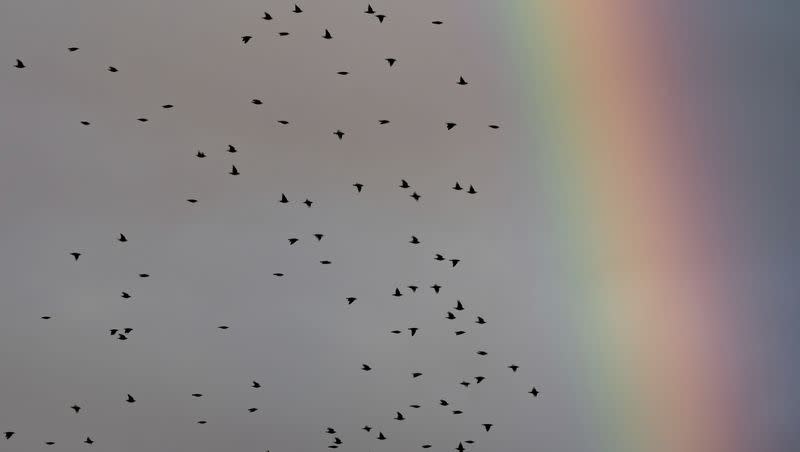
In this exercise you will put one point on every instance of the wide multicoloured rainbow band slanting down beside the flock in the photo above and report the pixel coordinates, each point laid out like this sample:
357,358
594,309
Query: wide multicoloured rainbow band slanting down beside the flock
646,289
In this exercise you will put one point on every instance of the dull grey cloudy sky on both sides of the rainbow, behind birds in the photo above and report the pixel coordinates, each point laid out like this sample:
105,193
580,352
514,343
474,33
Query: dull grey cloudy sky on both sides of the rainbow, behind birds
67,187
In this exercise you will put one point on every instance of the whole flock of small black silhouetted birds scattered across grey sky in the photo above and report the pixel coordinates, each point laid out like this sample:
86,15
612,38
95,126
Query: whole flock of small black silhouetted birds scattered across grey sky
123,333
